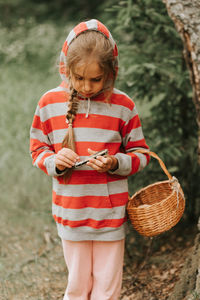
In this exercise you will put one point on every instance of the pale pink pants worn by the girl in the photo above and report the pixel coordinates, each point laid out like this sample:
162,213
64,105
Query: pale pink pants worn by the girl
94,269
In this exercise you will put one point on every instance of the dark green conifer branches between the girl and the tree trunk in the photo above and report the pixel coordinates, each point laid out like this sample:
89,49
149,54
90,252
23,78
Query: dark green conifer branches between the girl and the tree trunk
154,73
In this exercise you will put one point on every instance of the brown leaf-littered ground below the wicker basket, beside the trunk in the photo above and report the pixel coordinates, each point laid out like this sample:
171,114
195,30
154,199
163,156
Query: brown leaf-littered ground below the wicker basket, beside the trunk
153,273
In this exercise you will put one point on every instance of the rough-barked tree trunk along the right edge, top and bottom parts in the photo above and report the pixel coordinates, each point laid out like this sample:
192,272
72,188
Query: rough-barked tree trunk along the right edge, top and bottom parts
186,17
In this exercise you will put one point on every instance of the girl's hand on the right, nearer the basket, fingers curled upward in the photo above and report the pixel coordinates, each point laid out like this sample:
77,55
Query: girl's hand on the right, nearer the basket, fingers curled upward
102,163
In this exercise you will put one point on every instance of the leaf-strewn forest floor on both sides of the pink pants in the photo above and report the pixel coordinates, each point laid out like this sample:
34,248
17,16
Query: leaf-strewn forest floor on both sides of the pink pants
32,266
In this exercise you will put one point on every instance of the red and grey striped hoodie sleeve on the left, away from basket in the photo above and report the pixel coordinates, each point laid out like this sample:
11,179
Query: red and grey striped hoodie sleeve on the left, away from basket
41,150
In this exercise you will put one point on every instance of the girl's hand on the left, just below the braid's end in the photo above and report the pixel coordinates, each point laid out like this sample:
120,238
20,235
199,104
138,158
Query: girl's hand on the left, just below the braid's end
66,158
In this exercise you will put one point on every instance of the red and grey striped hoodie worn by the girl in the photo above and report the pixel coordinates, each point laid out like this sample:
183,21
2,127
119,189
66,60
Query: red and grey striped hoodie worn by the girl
92,205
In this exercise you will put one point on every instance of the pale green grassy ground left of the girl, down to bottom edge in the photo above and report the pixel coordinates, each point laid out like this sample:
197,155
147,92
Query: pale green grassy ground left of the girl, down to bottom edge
28,232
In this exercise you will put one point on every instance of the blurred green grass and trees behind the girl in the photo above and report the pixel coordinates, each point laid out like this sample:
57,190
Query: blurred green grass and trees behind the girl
152,71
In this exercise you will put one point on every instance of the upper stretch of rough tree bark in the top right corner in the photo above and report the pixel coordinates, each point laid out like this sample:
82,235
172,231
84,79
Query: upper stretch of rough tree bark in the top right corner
186,17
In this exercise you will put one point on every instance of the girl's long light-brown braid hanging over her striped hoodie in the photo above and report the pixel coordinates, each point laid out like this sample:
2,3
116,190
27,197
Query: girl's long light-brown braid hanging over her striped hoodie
69,140
